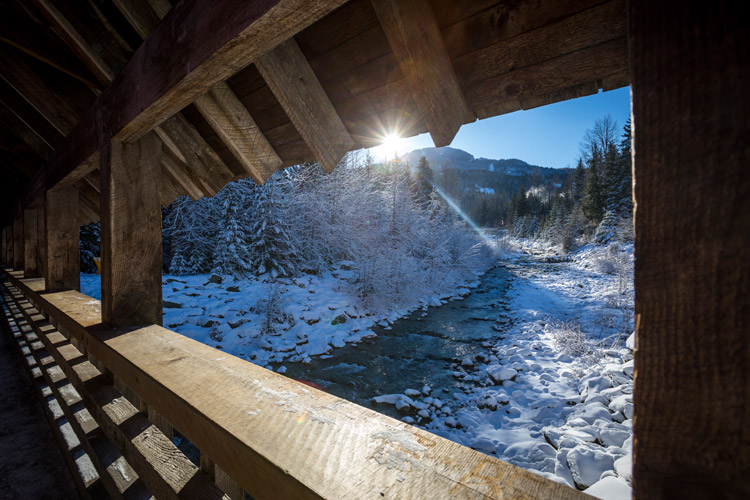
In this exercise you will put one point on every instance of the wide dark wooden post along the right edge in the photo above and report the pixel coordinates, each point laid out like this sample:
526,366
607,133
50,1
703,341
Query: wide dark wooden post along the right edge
691,102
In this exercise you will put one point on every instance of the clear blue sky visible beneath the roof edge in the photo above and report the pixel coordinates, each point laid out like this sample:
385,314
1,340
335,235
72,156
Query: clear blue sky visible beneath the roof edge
546,136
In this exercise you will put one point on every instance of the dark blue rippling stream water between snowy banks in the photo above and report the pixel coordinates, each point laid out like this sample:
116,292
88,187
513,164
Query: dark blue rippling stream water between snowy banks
417,350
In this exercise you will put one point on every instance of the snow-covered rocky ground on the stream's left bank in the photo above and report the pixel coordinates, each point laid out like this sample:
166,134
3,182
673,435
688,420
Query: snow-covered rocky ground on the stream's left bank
264,322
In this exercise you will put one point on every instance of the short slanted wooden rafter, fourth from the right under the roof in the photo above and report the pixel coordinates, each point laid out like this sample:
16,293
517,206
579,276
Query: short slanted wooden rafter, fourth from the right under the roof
180,136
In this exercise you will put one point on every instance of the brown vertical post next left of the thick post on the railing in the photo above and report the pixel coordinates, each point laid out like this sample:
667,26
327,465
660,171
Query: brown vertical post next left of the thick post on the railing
63,260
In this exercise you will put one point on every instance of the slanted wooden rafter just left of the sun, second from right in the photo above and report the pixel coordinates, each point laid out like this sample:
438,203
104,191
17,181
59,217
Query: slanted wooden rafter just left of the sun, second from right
288,74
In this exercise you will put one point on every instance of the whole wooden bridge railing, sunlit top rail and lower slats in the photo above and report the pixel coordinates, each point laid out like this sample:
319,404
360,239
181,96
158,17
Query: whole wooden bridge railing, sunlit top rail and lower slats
257,431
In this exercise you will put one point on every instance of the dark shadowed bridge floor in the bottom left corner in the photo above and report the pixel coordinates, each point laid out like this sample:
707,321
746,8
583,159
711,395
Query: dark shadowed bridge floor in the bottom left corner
31,465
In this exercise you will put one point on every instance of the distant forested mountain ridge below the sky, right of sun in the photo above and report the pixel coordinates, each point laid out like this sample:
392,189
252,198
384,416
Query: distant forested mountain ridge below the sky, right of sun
461,160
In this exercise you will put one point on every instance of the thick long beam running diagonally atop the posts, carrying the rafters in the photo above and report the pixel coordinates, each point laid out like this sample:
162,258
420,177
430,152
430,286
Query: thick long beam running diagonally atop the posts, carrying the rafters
156,82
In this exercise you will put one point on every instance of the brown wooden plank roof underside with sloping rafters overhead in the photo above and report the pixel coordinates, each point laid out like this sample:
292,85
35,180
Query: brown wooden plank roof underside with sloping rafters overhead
351,73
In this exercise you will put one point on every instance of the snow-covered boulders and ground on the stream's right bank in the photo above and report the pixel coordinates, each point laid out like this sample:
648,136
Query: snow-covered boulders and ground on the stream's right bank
554,393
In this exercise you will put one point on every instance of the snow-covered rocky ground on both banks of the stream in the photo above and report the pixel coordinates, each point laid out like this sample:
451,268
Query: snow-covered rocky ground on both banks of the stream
552,394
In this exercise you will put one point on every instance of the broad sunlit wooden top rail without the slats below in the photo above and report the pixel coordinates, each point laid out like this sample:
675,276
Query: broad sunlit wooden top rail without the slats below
276,437
